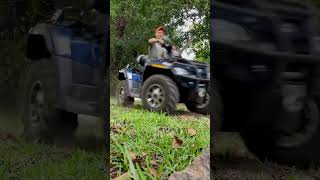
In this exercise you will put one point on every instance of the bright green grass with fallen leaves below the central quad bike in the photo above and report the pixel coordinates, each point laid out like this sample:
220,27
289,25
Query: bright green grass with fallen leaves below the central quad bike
148,137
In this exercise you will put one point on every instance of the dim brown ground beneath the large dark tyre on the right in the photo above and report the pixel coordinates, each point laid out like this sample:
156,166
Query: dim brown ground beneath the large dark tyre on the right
233,161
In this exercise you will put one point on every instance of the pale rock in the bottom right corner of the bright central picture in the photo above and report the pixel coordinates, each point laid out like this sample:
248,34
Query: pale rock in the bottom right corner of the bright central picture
198,170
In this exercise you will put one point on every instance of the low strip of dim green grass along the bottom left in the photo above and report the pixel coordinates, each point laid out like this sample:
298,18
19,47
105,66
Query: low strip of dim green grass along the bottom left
20,160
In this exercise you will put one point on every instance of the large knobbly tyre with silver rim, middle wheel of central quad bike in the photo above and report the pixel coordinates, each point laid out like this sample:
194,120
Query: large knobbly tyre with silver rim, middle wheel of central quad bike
160,93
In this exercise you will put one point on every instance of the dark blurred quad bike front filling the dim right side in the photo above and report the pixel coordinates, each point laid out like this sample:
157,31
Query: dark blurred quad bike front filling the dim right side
266,81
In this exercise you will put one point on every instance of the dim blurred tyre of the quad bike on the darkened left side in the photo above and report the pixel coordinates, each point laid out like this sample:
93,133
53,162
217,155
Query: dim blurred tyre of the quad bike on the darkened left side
41,119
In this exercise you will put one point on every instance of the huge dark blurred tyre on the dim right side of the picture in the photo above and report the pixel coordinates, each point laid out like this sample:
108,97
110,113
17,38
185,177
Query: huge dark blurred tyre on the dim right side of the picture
266,140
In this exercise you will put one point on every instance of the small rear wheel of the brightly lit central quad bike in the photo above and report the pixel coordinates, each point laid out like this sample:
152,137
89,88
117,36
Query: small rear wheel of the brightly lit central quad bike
123,98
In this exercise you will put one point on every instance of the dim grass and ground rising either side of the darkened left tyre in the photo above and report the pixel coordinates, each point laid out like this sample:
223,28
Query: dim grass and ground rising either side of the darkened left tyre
22,160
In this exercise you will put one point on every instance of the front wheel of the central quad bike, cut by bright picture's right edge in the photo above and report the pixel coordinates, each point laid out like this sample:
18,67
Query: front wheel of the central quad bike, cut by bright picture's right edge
199,108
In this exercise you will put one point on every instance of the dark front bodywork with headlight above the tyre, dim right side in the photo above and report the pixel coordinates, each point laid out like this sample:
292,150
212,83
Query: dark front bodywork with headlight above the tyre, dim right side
269,42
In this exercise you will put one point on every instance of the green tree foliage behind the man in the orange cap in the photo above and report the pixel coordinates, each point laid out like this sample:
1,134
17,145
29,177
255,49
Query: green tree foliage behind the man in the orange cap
133,22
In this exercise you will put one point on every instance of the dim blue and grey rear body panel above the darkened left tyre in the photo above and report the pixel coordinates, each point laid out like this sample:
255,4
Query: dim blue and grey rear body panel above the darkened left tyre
79,65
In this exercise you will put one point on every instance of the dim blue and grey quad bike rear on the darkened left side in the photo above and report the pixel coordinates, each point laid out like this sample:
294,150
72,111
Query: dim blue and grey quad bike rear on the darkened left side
65,74
